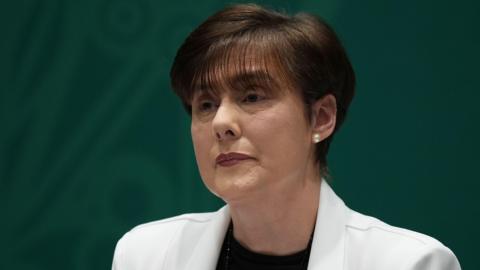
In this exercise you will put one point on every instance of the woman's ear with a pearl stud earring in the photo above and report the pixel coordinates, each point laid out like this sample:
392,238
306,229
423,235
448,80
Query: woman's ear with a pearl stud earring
324,116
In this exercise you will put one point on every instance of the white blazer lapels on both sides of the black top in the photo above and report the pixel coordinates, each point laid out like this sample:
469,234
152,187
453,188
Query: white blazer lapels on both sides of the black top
328,240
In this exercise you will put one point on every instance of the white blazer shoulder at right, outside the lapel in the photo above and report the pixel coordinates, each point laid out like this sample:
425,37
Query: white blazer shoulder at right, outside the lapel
379,245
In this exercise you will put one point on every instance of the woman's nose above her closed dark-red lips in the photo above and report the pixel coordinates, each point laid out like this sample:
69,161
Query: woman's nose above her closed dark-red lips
225,124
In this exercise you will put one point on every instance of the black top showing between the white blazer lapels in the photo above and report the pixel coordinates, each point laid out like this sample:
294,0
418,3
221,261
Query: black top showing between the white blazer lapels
238,257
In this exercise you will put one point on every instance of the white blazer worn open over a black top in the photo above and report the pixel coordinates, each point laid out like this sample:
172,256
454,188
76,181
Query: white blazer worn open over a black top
343,239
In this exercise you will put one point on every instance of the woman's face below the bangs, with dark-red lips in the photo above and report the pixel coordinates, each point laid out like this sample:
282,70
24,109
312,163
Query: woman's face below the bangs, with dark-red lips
251,141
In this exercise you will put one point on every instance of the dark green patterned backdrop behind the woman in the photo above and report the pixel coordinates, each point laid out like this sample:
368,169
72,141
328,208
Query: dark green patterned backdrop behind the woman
93,141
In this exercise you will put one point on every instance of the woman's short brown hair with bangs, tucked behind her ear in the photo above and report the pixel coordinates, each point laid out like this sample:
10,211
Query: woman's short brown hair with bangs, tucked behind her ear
302,47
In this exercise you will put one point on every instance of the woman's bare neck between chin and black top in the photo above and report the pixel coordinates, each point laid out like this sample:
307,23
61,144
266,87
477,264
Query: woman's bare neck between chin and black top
279,224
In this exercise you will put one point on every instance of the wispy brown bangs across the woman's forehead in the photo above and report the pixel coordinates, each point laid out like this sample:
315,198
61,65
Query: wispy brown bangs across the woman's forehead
237,64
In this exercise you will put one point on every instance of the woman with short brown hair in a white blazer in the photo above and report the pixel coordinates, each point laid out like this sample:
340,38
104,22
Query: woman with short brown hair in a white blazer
266,93
